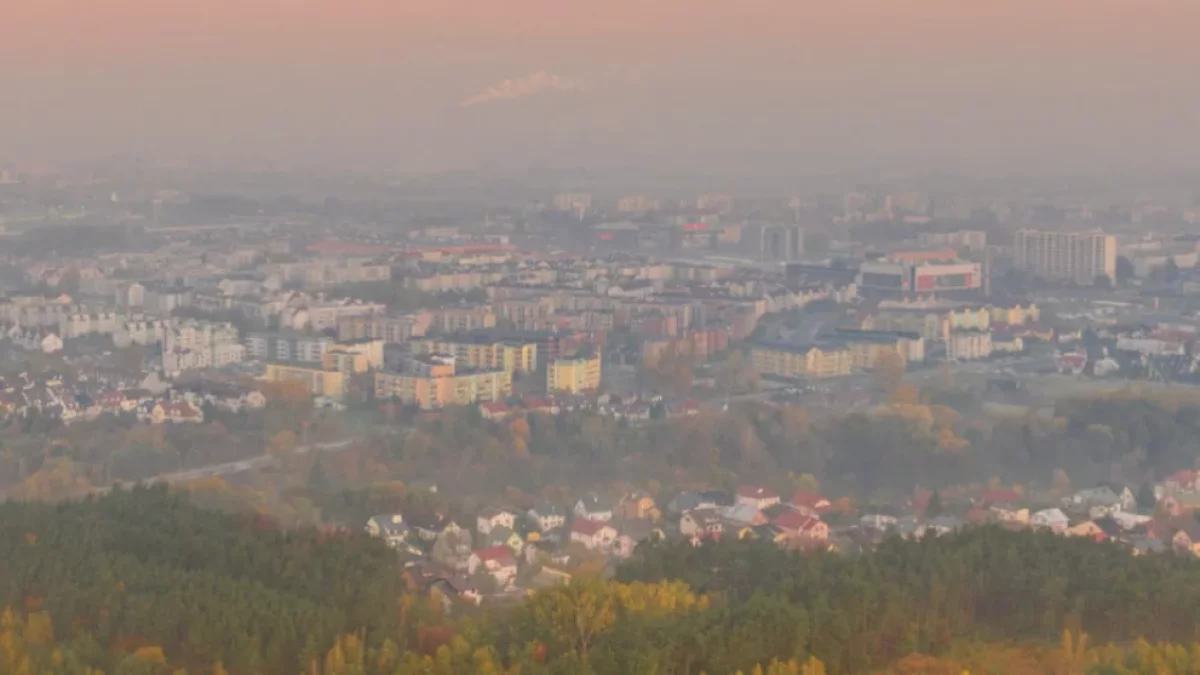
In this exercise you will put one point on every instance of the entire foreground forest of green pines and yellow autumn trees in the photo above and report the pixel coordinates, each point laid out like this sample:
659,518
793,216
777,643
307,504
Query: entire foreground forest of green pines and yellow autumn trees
142,583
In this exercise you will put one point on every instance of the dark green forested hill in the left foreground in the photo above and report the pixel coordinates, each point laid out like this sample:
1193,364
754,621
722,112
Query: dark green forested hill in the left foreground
146,569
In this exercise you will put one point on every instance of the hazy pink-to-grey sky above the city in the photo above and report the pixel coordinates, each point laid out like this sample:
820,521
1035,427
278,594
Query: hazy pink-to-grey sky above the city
747,85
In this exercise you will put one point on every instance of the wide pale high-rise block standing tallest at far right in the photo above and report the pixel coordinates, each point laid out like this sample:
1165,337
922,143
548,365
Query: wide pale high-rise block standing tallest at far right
1073,256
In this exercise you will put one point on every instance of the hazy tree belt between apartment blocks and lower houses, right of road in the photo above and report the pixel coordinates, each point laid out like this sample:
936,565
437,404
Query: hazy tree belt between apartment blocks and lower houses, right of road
934,439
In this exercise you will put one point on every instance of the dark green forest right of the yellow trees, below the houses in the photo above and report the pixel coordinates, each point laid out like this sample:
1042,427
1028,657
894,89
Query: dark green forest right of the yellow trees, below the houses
983,586
